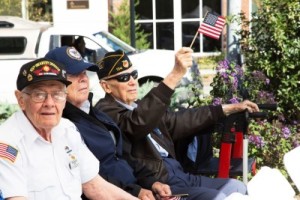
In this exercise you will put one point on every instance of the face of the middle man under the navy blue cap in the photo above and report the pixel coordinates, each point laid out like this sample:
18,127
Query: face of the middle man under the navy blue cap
78,91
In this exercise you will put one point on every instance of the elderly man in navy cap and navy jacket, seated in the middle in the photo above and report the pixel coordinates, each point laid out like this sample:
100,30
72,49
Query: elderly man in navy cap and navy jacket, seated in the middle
100,133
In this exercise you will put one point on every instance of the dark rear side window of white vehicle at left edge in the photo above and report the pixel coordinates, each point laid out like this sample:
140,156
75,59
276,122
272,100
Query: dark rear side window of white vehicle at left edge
12,45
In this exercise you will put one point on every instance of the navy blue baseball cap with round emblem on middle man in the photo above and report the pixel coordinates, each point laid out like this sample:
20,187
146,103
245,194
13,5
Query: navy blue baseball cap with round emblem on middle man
71,59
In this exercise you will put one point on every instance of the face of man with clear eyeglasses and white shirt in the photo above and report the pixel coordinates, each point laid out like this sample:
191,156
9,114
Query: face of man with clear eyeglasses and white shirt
43,103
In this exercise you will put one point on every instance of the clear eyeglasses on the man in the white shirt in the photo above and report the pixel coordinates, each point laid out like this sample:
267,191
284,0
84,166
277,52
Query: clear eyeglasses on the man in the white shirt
41,96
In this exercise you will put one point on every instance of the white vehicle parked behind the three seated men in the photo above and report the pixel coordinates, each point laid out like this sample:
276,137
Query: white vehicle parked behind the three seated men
22,40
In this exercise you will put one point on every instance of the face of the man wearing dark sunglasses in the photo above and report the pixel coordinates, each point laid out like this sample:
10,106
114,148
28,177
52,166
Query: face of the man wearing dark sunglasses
127,91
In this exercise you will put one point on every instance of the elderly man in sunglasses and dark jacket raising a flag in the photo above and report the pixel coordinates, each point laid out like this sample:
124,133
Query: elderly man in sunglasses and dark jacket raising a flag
152,130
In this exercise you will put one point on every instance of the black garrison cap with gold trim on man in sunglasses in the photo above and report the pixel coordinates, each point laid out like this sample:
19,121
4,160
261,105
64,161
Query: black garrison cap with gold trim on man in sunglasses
113,63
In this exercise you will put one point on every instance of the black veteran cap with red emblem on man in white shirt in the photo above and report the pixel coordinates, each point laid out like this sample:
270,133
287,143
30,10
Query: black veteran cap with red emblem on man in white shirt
42,69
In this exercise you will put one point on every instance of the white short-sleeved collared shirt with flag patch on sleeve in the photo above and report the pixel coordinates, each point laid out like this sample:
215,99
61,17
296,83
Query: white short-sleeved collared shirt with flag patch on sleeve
44,170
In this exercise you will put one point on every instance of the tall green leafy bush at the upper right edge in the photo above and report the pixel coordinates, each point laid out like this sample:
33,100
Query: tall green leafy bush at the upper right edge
272,45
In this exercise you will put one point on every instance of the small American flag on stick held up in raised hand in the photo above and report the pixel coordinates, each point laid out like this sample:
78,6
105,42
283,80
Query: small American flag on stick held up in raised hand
212,25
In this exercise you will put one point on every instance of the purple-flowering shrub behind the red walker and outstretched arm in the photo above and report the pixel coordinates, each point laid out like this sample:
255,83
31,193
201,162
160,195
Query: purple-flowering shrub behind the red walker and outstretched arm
269,139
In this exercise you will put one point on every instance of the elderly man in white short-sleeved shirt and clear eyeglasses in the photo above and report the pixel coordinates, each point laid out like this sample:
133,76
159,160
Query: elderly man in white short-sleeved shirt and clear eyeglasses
42,155
